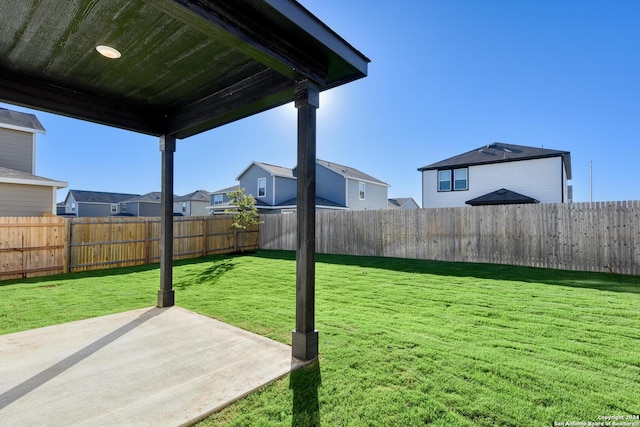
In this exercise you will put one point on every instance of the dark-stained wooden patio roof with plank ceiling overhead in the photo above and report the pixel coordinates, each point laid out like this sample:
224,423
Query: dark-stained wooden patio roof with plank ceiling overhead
186,66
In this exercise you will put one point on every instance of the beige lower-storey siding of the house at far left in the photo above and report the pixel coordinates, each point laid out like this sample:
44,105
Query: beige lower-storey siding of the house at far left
25,200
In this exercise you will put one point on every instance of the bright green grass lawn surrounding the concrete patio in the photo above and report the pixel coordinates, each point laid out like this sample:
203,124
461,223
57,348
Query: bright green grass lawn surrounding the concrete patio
403,342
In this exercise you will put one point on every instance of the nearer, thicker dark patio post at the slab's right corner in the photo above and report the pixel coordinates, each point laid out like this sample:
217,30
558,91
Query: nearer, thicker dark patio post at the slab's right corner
305,337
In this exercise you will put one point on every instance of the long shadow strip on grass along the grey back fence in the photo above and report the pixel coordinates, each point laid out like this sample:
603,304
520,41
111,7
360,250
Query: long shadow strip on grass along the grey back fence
578,279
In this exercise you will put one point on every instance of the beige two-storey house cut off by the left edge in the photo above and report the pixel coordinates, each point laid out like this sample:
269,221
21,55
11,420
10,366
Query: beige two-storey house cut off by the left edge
22,193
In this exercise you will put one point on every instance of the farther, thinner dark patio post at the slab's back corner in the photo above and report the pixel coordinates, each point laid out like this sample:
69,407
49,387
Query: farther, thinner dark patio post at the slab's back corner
166,297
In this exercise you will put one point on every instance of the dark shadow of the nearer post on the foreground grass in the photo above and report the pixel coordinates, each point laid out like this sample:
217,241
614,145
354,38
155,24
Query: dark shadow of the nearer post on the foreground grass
304,382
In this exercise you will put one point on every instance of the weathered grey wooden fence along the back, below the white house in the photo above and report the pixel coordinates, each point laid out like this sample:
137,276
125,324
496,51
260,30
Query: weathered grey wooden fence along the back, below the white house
601,236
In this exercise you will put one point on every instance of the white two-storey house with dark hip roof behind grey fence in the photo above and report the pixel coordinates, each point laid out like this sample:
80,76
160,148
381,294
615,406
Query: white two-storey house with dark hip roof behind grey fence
498,173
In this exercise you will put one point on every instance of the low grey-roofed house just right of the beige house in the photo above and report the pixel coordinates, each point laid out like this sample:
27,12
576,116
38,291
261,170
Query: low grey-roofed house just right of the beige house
95,203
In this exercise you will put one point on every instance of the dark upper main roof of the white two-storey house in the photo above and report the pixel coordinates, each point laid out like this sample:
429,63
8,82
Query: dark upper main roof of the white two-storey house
499,152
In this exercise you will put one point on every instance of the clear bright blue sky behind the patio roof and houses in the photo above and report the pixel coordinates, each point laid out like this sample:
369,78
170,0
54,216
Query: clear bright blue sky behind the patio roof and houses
446,77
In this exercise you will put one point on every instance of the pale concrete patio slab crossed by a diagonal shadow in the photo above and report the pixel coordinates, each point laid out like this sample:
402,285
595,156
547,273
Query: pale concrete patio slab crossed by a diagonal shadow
146,367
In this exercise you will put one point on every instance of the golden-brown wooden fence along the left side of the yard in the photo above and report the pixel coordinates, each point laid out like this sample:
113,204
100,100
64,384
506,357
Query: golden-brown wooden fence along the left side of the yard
48,245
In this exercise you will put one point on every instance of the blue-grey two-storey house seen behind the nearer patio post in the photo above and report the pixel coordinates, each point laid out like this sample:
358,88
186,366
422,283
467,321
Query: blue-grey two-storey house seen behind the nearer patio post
338,187
